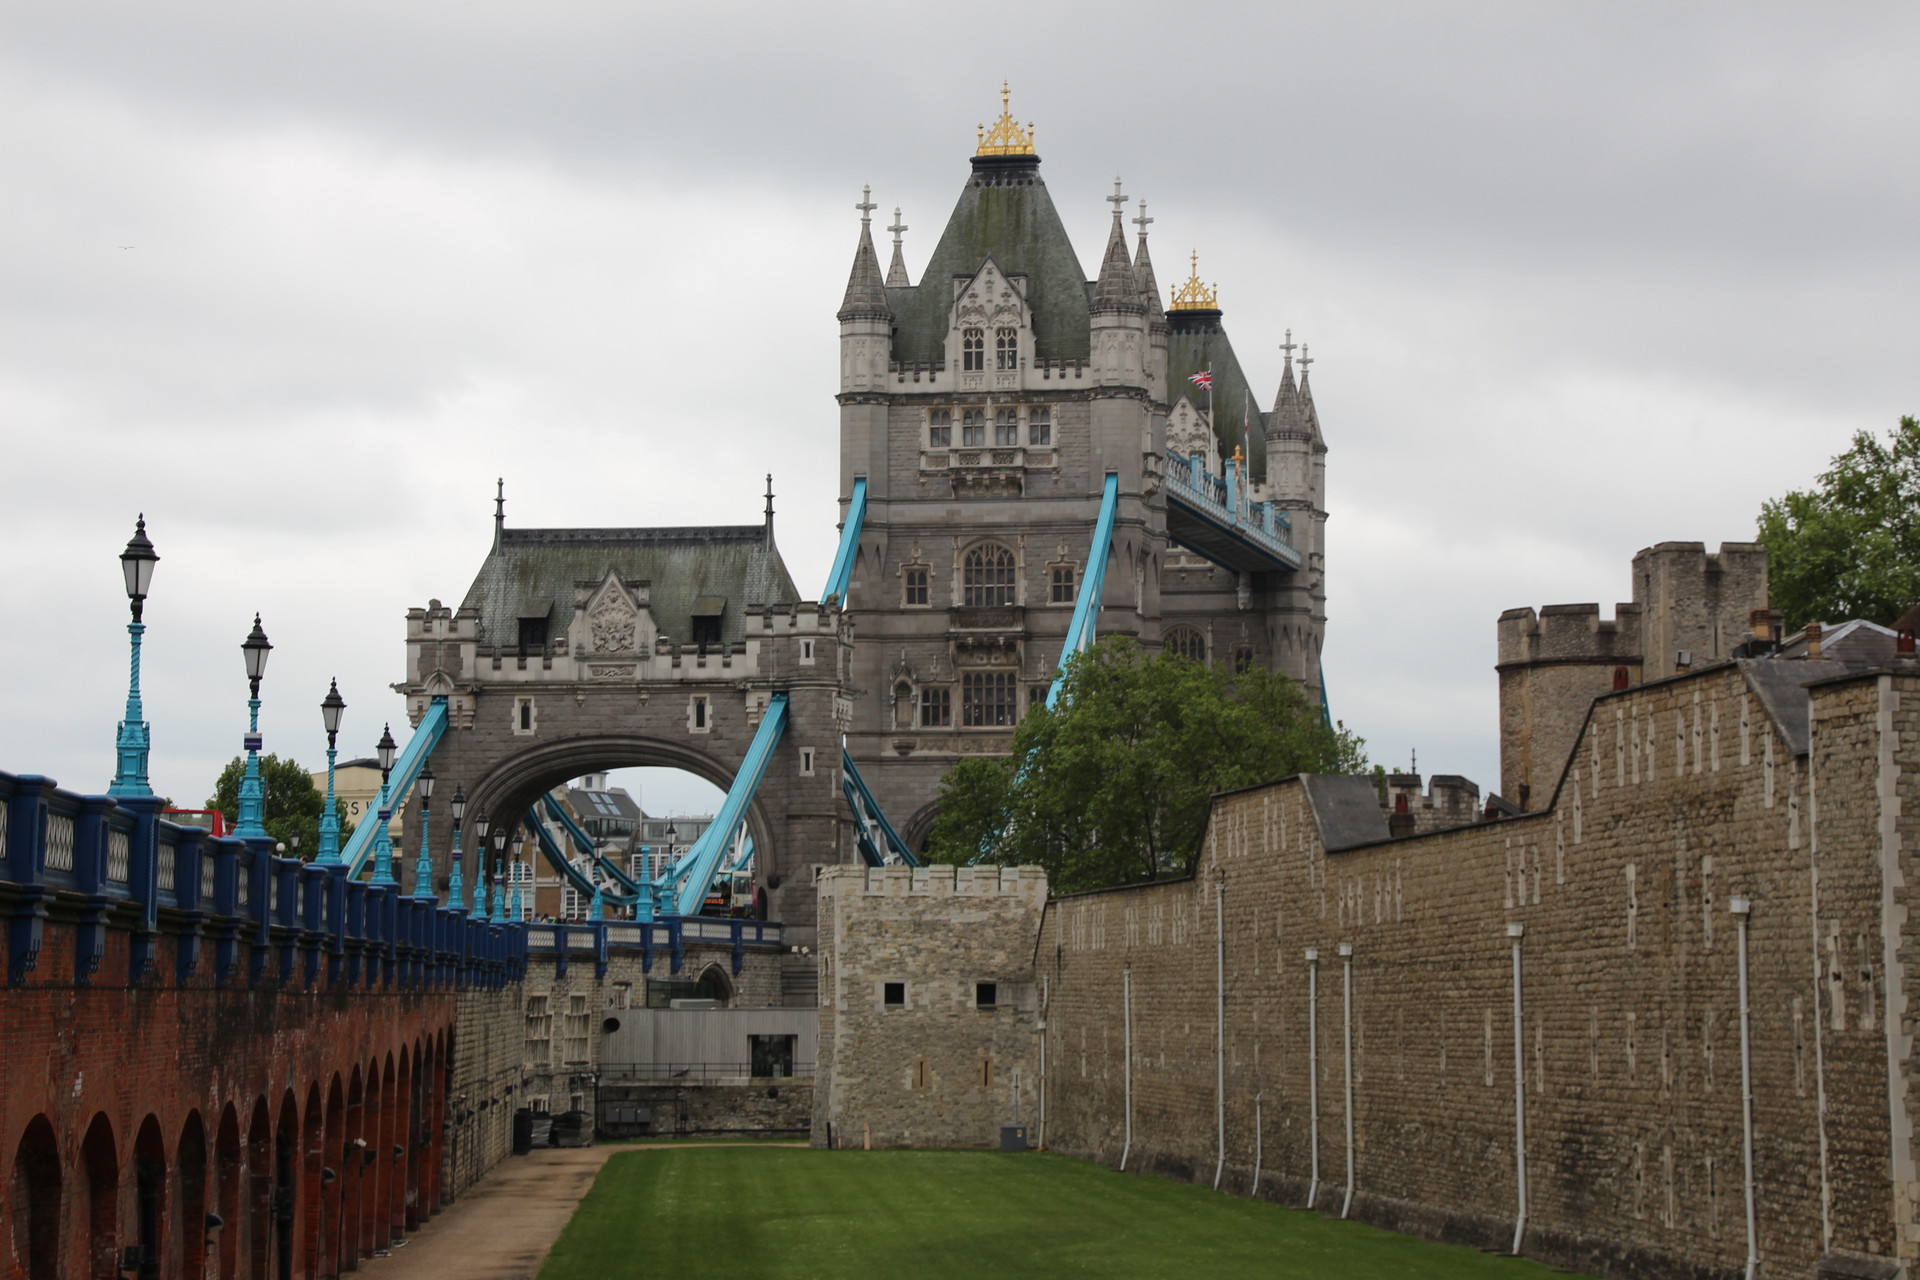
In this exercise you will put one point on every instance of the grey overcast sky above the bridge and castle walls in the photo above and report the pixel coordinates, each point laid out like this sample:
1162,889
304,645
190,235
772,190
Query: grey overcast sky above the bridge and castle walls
302,281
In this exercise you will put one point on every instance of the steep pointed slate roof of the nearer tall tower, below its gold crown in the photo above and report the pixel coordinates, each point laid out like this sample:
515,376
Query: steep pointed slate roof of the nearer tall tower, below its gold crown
1003,214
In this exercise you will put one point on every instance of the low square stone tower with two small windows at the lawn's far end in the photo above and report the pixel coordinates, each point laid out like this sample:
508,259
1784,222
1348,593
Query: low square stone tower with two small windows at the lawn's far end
946,1064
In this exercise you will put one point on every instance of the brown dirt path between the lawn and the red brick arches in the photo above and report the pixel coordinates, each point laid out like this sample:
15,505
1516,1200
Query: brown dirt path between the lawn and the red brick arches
504,1227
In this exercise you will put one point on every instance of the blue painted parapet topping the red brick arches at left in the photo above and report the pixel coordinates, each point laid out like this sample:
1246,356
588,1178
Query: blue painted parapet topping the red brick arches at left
214,911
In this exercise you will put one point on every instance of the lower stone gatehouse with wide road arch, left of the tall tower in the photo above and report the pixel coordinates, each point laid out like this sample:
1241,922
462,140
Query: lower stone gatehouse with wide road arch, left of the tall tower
592,650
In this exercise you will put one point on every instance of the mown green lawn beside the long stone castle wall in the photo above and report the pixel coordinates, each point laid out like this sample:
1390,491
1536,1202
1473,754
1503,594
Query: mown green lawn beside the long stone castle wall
777,1214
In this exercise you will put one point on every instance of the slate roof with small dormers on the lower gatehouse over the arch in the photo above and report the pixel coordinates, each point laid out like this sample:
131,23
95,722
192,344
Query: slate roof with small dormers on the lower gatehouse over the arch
681,565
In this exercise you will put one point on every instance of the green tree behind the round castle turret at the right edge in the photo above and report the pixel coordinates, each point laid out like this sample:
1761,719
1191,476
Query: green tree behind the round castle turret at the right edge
1850,548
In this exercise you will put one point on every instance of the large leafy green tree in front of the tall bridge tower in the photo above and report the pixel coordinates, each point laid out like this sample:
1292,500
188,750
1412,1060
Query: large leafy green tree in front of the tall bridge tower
1115,784
